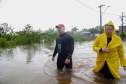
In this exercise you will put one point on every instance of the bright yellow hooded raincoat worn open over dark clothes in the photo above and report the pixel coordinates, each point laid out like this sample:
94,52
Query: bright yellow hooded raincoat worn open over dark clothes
114,57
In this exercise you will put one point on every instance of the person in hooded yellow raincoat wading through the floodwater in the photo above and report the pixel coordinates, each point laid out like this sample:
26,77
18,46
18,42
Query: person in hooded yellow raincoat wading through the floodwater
110,52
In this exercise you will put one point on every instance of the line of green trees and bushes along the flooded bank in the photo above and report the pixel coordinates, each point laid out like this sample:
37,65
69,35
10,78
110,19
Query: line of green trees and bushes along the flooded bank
10,38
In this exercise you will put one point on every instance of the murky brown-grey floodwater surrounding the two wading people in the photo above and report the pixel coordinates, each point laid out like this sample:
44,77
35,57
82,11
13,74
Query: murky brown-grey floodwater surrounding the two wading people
33,65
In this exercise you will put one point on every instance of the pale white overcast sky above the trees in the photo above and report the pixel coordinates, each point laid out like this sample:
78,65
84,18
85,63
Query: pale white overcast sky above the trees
46,14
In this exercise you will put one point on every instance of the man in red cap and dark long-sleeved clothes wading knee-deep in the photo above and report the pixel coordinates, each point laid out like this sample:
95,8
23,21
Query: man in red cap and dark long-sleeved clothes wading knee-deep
64,47
